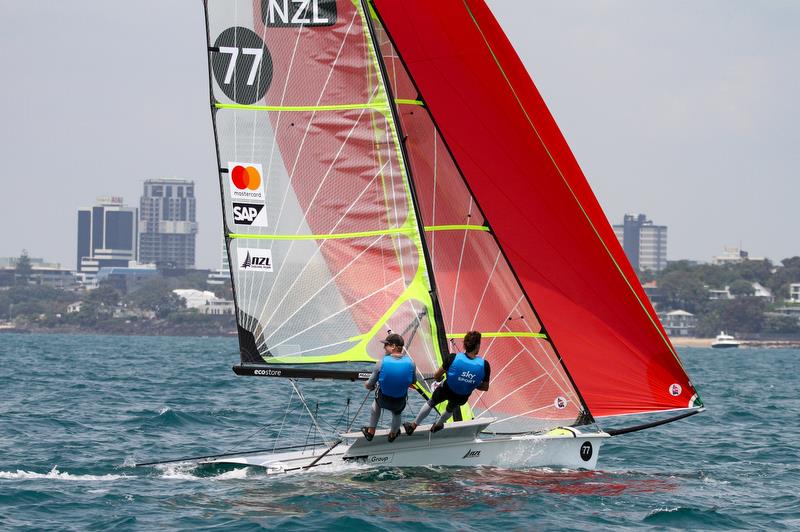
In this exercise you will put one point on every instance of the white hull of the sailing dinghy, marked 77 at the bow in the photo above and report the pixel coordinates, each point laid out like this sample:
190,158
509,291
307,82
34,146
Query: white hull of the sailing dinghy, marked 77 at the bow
459,444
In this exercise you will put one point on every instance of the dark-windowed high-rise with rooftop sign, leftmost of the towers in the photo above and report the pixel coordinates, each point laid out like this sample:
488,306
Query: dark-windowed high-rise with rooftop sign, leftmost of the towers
107,235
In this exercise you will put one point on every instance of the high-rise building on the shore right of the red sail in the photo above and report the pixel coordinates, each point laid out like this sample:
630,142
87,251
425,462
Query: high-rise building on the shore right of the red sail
644,243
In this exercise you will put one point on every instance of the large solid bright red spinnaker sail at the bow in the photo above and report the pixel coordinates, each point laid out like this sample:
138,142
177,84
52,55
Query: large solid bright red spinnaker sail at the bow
539,205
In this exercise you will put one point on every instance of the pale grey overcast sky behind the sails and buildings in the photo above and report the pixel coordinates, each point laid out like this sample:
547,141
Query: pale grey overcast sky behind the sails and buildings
686,111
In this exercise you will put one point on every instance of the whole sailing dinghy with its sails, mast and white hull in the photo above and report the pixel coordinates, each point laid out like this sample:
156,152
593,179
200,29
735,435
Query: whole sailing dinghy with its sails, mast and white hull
390,165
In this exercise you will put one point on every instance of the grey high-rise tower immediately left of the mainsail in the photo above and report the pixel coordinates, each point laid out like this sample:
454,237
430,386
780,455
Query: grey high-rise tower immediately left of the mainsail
167,223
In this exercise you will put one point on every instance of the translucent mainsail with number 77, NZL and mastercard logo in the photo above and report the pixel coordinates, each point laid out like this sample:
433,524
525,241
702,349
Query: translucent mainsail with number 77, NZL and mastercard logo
325,246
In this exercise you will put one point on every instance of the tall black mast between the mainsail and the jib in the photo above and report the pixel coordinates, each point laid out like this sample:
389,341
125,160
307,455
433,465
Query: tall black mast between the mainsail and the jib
437,311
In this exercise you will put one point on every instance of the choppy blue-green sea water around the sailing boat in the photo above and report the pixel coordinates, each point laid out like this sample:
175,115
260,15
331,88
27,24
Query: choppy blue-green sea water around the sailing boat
77,412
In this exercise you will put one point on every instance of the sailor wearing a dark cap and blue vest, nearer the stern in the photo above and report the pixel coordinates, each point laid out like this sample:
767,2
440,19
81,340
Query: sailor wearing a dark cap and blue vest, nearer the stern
394,373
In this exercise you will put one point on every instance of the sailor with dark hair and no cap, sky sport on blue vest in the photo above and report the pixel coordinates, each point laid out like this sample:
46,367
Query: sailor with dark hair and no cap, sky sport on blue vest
465,372
